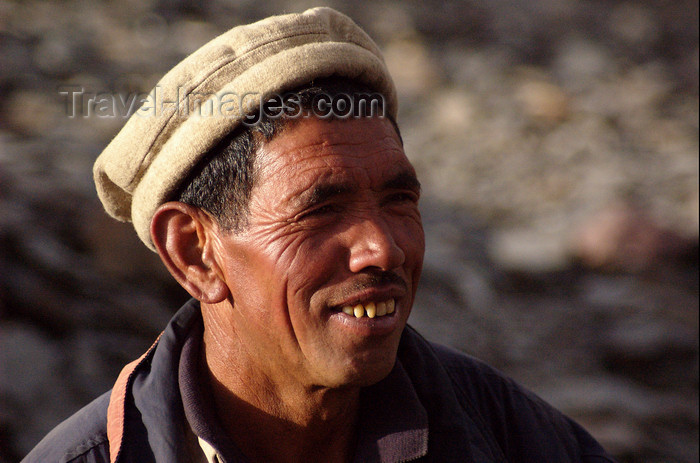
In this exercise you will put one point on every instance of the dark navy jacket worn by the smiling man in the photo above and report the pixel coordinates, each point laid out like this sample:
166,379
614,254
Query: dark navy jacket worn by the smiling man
474,413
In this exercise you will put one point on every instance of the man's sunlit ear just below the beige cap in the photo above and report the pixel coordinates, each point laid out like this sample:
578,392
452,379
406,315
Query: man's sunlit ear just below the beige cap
183,236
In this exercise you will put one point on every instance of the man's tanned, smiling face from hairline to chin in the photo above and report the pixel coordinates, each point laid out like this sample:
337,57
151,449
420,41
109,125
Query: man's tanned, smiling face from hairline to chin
333,223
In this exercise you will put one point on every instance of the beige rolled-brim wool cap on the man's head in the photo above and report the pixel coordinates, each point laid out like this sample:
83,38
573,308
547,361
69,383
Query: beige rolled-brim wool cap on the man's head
208,94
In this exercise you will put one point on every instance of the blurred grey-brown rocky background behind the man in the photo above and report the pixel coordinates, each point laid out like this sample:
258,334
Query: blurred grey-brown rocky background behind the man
557,142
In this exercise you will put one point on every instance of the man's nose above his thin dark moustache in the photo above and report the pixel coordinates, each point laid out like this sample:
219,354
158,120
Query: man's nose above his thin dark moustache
373,245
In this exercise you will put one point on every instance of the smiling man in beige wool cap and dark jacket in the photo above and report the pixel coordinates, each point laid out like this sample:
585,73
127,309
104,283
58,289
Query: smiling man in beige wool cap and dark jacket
294,225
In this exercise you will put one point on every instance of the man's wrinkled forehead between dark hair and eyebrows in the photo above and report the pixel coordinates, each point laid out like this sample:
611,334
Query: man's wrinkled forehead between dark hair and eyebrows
365,151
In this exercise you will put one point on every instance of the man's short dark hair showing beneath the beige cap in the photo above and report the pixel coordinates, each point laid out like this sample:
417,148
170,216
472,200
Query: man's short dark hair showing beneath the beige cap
222,182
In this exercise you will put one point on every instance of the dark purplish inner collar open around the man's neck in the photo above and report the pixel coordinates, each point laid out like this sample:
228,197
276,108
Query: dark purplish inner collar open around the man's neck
393,424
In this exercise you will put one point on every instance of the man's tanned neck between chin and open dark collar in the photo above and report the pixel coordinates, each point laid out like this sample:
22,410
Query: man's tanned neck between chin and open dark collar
302,422
